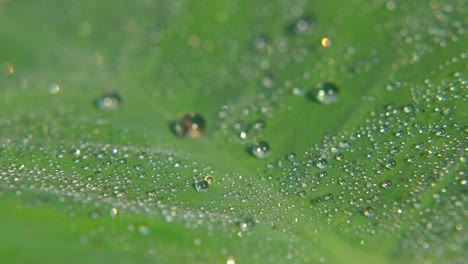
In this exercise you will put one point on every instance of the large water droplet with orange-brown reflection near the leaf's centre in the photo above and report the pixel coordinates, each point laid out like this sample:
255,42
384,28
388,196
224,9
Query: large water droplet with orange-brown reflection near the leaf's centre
190,125
